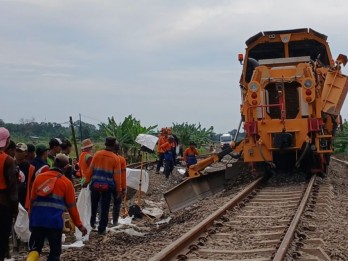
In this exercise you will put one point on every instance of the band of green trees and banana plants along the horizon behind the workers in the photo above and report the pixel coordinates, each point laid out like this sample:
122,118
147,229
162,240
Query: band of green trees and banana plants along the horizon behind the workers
30,131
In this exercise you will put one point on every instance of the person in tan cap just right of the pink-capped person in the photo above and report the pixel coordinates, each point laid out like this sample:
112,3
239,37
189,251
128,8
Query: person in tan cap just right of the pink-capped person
27,170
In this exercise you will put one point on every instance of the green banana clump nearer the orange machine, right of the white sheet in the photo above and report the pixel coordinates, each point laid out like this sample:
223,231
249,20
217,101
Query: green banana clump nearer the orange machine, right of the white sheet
190,132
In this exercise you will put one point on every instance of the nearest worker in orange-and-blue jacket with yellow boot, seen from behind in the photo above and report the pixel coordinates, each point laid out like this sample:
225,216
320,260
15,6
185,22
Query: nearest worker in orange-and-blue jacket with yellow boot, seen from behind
51,194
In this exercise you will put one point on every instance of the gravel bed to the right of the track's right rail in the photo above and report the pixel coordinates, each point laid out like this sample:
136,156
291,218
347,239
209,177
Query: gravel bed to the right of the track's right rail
324,226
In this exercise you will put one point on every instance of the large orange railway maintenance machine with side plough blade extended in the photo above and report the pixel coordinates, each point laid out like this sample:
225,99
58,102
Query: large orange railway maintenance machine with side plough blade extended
292,93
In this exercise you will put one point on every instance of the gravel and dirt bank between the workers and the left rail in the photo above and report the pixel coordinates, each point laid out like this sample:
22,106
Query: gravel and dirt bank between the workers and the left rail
118,245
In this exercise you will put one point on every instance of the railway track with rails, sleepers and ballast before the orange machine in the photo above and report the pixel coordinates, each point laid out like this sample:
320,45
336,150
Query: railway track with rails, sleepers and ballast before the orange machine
258,224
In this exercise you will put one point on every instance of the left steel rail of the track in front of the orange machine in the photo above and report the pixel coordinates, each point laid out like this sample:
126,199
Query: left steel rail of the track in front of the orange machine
178,245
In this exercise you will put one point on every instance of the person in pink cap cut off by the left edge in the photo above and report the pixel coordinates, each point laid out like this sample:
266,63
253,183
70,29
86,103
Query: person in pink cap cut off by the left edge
8,192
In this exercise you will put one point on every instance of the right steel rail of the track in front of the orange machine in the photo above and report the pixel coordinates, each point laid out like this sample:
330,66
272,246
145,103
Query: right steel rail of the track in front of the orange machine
284,246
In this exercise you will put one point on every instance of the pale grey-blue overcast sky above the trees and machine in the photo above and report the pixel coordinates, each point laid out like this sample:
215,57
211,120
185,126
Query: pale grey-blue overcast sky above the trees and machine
161,61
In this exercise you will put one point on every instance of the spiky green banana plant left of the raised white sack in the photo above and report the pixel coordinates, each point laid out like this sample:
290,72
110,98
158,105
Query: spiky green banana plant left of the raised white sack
126,132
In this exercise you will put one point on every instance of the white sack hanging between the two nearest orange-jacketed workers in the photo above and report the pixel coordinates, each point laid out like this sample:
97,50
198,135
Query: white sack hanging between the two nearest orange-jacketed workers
84,207
